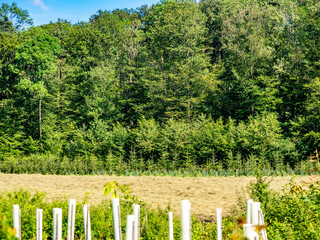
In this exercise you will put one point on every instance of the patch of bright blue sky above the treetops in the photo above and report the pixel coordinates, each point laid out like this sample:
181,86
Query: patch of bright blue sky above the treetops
44,11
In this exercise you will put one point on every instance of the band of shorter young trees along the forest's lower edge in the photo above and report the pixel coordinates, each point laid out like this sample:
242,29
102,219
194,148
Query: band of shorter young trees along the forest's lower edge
204,147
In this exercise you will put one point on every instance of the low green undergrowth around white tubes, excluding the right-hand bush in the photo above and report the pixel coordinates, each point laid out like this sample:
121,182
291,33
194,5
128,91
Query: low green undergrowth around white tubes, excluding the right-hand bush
154,222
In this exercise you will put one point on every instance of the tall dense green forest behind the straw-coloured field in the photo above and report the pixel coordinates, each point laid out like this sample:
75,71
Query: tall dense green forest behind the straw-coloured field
219,85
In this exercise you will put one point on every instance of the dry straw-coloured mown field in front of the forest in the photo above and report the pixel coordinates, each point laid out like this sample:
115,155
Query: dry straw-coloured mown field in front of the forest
205,193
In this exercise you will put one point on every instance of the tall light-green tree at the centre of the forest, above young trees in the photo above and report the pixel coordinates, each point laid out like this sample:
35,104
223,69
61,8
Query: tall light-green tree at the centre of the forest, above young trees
178,70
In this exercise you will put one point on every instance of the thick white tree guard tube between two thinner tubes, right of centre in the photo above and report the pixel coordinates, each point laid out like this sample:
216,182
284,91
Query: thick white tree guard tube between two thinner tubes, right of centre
185,220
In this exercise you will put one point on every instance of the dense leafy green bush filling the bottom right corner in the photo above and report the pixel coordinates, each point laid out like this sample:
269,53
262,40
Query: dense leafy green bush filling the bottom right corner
291,214
